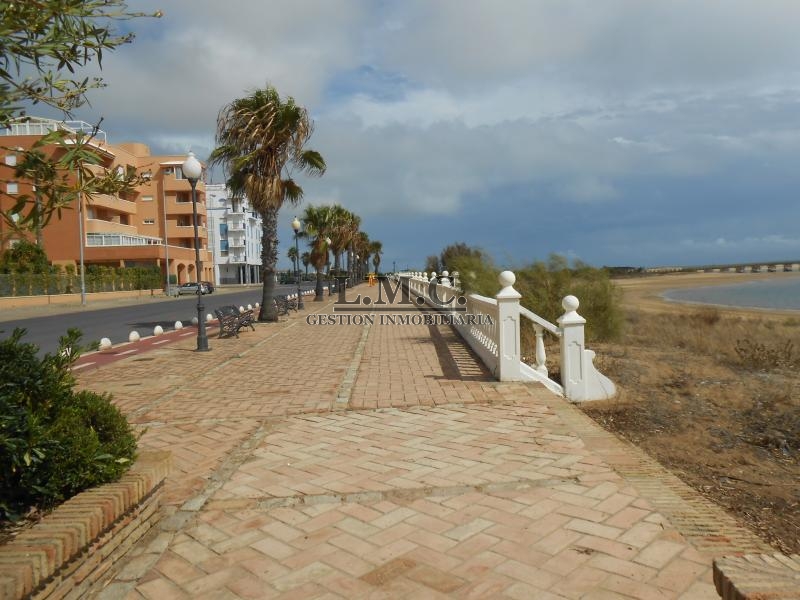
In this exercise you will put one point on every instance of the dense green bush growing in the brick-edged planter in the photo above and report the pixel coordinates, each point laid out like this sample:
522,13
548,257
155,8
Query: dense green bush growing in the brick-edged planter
54,441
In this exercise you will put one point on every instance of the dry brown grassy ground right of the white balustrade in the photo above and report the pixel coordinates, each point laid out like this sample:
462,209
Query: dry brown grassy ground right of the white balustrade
716,398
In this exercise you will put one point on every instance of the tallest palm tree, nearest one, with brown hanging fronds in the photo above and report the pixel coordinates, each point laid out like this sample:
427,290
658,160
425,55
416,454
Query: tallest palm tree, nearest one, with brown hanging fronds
260,139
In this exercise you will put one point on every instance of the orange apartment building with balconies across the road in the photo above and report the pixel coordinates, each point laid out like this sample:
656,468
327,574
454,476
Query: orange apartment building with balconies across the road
151,225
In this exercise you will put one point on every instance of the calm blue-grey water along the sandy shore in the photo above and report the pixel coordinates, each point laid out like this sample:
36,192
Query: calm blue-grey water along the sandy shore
772,293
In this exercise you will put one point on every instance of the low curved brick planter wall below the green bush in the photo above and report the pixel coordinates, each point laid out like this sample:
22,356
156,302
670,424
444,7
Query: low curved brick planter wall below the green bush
72,547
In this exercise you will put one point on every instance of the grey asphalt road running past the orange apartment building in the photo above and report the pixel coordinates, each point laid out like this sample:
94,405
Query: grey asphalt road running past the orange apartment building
117,322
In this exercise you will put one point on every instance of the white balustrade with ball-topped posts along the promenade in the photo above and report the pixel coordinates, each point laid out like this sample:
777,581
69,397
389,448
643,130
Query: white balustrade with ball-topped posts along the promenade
491,327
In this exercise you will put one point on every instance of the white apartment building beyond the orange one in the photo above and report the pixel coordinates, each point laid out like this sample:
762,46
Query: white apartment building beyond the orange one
234,235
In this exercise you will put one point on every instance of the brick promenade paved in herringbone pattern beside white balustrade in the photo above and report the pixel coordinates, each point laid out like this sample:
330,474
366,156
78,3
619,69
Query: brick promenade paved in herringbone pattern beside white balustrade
384,462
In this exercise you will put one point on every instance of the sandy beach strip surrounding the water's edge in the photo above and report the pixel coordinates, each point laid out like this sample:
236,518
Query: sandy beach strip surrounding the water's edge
644,293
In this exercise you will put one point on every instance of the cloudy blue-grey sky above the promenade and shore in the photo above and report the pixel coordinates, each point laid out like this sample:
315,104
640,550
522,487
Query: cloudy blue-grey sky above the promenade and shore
617,132
